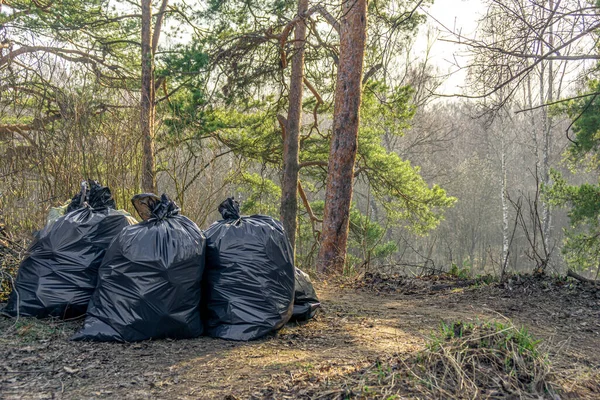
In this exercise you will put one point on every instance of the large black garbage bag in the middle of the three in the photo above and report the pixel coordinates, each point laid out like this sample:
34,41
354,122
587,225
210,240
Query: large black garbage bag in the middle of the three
149,284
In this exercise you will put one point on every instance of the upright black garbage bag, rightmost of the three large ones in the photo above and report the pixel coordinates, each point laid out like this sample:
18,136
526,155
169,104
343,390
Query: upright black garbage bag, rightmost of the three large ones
249,277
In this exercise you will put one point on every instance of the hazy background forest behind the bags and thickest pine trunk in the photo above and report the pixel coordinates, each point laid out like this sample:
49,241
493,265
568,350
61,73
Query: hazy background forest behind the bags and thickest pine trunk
195,98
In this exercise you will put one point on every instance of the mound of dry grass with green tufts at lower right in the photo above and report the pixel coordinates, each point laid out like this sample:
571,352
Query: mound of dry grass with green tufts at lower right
488,359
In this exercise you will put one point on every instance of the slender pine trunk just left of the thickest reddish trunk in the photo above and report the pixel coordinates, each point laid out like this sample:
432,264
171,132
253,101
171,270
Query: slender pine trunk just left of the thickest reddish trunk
289,189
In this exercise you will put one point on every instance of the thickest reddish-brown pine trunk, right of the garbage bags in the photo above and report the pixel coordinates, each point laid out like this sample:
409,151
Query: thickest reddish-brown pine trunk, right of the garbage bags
344,141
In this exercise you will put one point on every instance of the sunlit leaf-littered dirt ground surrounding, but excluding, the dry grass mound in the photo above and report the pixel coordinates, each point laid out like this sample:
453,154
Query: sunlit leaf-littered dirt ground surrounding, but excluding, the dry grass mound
339,354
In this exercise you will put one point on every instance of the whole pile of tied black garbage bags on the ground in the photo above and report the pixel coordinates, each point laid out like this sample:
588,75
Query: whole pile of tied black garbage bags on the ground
162,277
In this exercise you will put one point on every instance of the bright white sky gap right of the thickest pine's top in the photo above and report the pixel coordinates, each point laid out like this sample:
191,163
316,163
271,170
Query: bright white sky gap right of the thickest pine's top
456,15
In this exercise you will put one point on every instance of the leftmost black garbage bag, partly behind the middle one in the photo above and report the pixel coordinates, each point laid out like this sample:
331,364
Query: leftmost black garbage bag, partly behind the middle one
58,275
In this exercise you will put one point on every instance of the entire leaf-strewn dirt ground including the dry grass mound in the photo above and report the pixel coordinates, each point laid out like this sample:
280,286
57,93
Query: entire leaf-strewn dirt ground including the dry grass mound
363,345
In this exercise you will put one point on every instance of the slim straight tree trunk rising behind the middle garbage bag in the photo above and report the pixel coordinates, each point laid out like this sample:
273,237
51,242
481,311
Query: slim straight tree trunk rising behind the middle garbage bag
147,101
